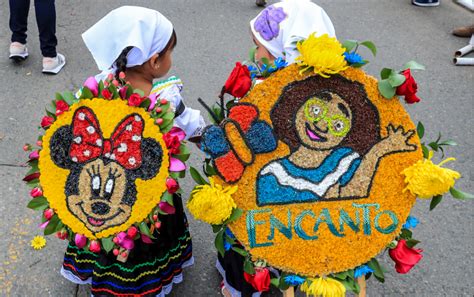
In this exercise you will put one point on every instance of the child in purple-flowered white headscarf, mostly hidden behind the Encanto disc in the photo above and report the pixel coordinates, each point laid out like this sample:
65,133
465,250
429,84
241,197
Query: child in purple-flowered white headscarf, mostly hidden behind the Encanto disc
275,31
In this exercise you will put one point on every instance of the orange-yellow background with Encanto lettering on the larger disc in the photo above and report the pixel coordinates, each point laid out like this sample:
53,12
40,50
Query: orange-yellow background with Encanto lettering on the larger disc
305,244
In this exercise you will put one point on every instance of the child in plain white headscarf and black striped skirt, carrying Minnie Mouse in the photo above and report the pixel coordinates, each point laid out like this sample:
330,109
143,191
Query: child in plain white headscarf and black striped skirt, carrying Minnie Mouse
139,42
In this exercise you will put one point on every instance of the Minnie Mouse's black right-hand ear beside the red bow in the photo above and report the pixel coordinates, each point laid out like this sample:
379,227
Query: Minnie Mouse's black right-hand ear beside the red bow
152,157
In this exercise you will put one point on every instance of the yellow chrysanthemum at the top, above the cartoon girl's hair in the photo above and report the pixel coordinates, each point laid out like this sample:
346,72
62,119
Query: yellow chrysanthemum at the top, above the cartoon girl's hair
323,54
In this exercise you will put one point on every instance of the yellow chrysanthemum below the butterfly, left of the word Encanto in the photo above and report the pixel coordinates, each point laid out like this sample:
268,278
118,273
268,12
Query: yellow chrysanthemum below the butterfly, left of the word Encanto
212,203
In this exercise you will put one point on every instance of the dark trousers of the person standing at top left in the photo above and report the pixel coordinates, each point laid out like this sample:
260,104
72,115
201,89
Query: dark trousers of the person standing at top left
45,19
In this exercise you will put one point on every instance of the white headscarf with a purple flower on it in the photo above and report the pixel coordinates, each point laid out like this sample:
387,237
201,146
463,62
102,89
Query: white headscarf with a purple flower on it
300,19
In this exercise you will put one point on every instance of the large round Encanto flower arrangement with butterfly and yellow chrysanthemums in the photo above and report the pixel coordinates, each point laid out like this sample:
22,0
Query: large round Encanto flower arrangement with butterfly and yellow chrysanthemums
326,165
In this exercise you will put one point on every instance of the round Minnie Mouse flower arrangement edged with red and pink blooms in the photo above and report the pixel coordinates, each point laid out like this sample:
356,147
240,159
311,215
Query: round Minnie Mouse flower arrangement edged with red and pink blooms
106,166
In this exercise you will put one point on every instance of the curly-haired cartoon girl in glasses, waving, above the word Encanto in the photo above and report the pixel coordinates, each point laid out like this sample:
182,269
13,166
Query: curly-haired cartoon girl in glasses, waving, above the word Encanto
333,132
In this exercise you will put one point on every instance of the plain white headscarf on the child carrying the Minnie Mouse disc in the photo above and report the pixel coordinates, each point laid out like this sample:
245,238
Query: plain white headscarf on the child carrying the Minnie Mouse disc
147,30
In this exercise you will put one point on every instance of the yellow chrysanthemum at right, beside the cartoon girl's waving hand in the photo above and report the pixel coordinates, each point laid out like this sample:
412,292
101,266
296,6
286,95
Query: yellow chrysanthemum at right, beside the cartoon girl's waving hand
425,179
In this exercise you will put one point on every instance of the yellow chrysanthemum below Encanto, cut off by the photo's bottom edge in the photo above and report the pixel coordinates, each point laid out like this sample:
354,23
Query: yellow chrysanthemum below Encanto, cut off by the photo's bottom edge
324,287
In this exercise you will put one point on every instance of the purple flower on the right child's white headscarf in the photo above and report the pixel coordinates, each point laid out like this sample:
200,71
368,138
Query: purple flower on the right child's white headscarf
268,22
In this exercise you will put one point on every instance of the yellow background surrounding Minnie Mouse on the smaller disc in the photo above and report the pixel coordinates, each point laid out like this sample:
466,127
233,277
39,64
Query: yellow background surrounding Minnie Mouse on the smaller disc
53,179
